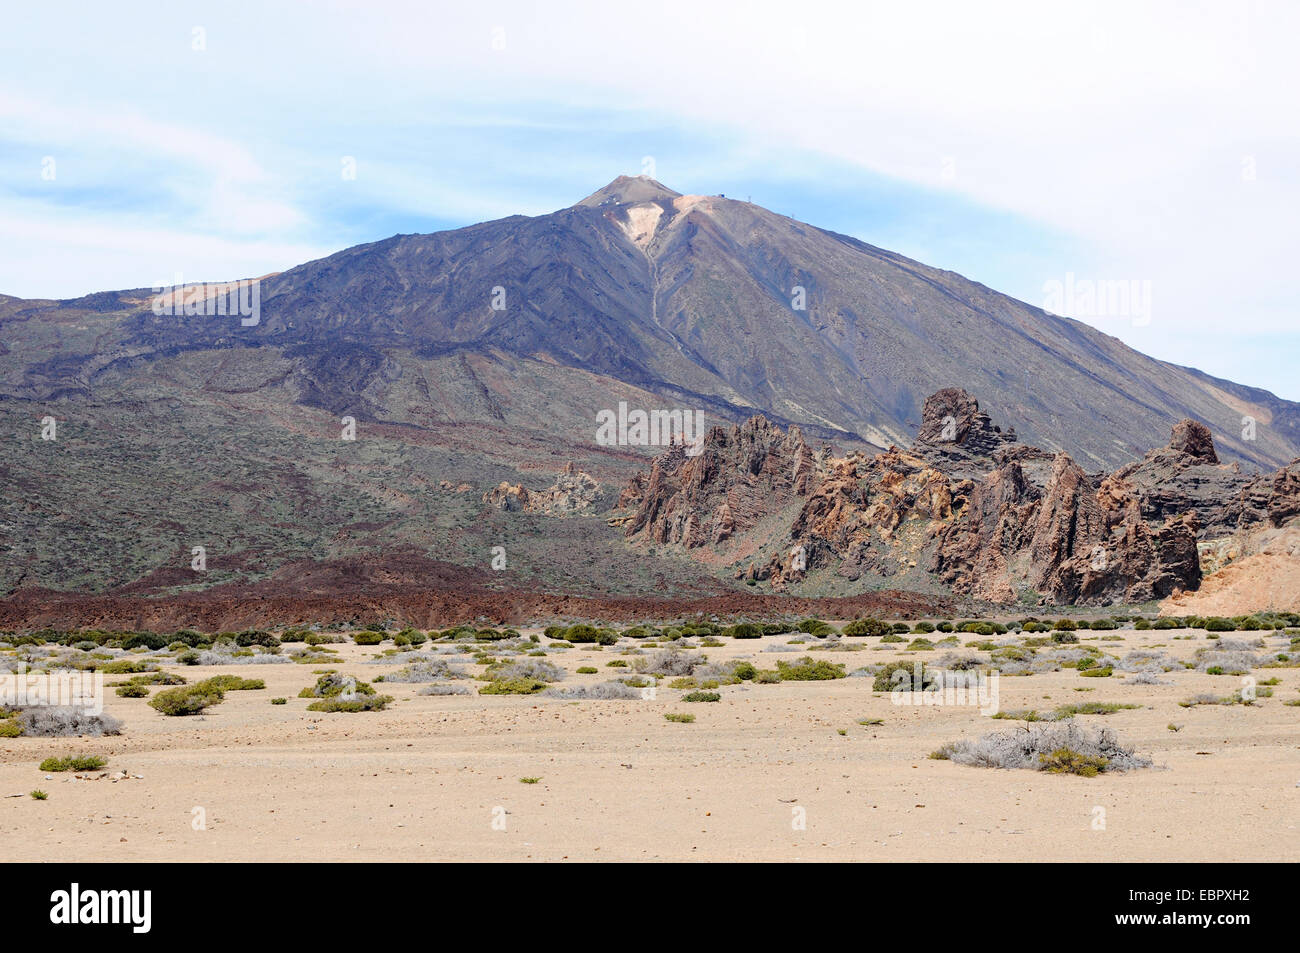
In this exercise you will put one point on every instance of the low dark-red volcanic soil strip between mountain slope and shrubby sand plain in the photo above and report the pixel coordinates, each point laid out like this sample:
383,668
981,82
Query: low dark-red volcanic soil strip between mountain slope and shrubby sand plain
415,591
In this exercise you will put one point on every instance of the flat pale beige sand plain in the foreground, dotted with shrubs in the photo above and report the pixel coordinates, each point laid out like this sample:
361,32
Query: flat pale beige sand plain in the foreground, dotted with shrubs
619,783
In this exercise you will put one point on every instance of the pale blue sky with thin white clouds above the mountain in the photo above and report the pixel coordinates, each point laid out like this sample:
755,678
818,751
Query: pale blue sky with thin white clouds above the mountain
1146,149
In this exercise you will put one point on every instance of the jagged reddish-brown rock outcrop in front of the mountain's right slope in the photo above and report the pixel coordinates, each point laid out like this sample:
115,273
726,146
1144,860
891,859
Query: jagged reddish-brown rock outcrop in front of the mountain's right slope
983,514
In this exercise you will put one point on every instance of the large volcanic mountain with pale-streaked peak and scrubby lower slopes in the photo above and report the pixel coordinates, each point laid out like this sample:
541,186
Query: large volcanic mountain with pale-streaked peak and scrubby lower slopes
483,356
